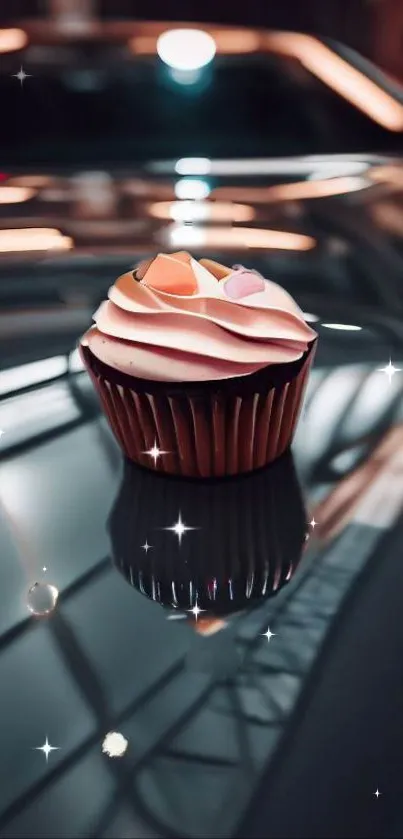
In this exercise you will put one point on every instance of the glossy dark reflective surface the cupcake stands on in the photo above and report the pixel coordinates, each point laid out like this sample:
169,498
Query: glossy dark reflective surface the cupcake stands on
228,734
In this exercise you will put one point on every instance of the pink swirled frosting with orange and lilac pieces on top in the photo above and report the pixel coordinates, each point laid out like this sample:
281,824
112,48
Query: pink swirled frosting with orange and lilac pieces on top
196,321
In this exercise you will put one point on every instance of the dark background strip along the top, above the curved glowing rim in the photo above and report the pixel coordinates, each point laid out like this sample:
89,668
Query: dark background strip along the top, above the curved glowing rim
373,27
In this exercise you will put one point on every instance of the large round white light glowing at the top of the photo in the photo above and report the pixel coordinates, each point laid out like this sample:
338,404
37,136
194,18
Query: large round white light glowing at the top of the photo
186,49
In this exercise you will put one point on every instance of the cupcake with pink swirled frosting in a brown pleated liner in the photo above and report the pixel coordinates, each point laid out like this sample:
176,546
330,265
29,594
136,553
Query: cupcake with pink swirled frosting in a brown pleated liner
200,368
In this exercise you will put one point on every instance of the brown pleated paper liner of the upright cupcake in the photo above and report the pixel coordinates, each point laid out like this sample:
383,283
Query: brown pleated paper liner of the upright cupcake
203,431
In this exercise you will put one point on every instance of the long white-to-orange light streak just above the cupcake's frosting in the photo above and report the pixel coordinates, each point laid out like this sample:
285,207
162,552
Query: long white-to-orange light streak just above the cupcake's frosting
239,237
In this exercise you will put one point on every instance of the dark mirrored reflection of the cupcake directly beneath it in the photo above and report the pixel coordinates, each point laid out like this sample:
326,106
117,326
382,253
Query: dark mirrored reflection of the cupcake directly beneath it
209,549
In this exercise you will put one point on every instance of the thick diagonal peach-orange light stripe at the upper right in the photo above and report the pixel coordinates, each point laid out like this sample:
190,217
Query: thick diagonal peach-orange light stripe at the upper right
341,76
